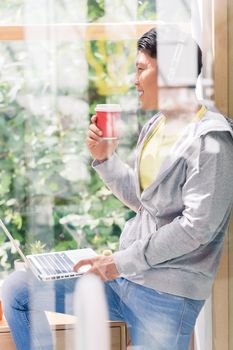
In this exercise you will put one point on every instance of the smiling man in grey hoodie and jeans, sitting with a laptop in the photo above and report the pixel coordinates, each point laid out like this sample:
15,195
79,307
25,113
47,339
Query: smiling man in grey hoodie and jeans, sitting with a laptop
181,191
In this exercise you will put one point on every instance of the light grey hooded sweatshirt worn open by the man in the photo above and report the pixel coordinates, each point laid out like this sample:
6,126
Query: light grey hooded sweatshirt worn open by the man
175,241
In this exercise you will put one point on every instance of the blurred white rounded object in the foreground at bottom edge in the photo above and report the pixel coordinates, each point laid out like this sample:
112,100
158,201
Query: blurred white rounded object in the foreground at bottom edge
92,330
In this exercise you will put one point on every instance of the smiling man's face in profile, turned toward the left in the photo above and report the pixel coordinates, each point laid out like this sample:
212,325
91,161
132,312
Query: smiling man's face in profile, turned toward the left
146,80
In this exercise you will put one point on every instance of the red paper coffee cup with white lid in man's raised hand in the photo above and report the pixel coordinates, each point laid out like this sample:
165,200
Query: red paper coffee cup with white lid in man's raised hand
108,117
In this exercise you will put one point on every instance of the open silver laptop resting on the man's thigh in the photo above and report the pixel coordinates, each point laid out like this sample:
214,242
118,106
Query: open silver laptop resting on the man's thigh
55,265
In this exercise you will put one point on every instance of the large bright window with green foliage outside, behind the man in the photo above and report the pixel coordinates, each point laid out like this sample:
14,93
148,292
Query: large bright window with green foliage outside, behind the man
58,60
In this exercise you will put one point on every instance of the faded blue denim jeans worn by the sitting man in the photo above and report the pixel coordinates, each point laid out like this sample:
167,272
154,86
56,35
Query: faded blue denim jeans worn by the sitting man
156,321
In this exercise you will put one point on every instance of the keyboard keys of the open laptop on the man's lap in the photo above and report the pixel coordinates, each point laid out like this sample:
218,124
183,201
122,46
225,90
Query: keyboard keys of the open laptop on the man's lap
53,264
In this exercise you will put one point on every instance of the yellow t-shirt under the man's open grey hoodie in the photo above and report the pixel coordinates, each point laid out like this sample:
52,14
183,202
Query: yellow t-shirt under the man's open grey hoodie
157,146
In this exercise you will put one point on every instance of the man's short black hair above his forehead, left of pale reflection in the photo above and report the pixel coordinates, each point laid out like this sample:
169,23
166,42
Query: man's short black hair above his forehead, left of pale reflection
148,43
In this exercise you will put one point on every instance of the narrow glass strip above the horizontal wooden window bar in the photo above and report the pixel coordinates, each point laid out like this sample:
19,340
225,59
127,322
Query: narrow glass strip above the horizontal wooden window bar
17,12
